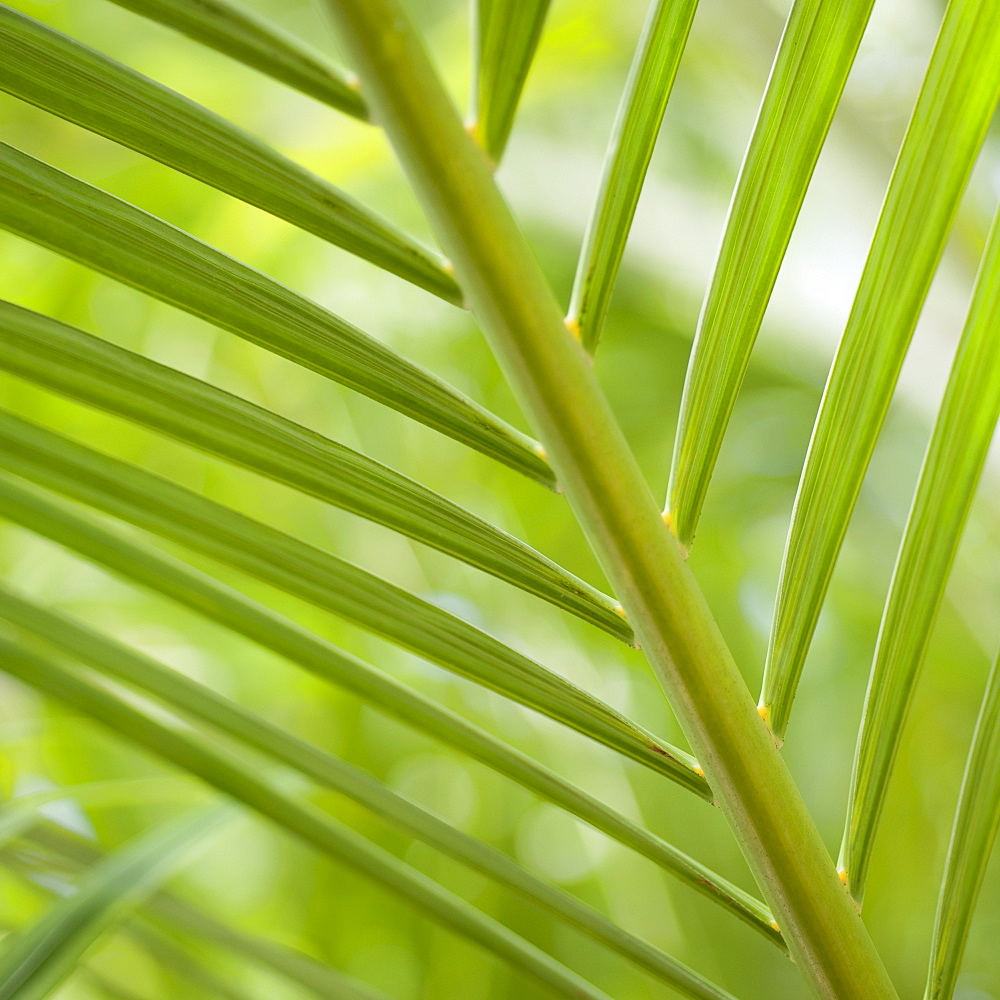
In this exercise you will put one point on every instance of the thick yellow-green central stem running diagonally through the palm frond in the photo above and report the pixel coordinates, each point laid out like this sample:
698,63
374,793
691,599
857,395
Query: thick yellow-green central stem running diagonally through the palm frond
552,378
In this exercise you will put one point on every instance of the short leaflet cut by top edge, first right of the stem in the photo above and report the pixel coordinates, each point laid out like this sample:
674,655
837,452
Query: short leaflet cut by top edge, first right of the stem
506,36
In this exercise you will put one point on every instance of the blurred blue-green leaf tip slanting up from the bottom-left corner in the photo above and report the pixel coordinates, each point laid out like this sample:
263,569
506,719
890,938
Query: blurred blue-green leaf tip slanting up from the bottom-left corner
36,961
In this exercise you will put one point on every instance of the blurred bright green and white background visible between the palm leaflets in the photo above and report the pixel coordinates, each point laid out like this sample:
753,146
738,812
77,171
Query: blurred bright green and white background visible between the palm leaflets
263,882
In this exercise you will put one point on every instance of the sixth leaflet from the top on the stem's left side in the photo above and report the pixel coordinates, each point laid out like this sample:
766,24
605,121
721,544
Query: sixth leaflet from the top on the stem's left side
231,610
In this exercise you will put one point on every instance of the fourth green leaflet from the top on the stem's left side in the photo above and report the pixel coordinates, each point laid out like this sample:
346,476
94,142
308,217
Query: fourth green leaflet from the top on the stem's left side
86,368
